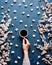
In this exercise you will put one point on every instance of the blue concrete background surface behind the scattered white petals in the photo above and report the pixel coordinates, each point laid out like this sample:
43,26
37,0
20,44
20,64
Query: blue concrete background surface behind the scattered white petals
28,21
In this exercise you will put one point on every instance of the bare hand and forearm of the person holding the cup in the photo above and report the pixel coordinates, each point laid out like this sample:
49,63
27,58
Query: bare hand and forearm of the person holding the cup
26,46
